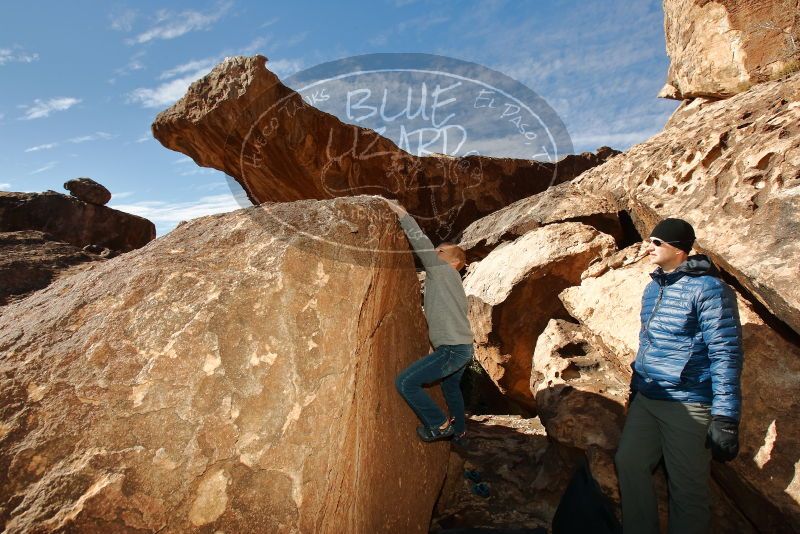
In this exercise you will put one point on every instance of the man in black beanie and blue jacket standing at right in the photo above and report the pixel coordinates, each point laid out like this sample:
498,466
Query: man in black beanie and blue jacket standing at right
685,390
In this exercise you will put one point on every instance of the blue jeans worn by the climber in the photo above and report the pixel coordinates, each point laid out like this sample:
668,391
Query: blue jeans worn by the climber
447,363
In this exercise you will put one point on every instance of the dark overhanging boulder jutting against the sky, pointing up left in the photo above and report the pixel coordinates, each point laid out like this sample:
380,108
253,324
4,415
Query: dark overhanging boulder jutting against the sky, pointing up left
240,119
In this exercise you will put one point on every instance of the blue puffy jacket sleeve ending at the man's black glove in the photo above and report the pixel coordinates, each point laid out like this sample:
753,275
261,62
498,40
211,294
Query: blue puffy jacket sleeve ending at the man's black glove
718,317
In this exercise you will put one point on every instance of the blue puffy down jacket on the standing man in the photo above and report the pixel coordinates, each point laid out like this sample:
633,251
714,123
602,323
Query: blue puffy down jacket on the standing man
690,342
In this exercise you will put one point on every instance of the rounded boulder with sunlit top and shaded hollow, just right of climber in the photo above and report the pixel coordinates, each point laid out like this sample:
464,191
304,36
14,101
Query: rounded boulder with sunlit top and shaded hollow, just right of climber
513,293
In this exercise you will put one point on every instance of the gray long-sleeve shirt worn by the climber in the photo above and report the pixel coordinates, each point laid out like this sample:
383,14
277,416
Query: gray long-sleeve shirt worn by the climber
445,301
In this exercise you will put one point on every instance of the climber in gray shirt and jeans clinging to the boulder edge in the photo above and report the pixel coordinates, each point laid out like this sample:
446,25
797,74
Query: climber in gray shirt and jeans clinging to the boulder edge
445,306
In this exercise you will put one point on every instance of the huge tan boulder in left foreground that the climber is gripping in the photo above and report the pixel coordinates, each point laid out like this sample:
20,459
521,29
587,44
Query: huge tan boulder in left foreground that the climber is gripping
235,375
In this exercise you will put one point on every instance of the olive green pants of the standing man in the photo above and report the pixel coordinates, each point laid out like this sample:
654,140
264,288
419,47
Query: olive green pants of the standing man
676,431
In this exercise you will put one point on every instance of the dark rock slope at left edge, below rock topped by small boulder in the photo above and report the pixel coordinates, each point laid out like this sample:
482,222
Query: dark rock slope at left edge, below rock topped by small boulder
30,260
